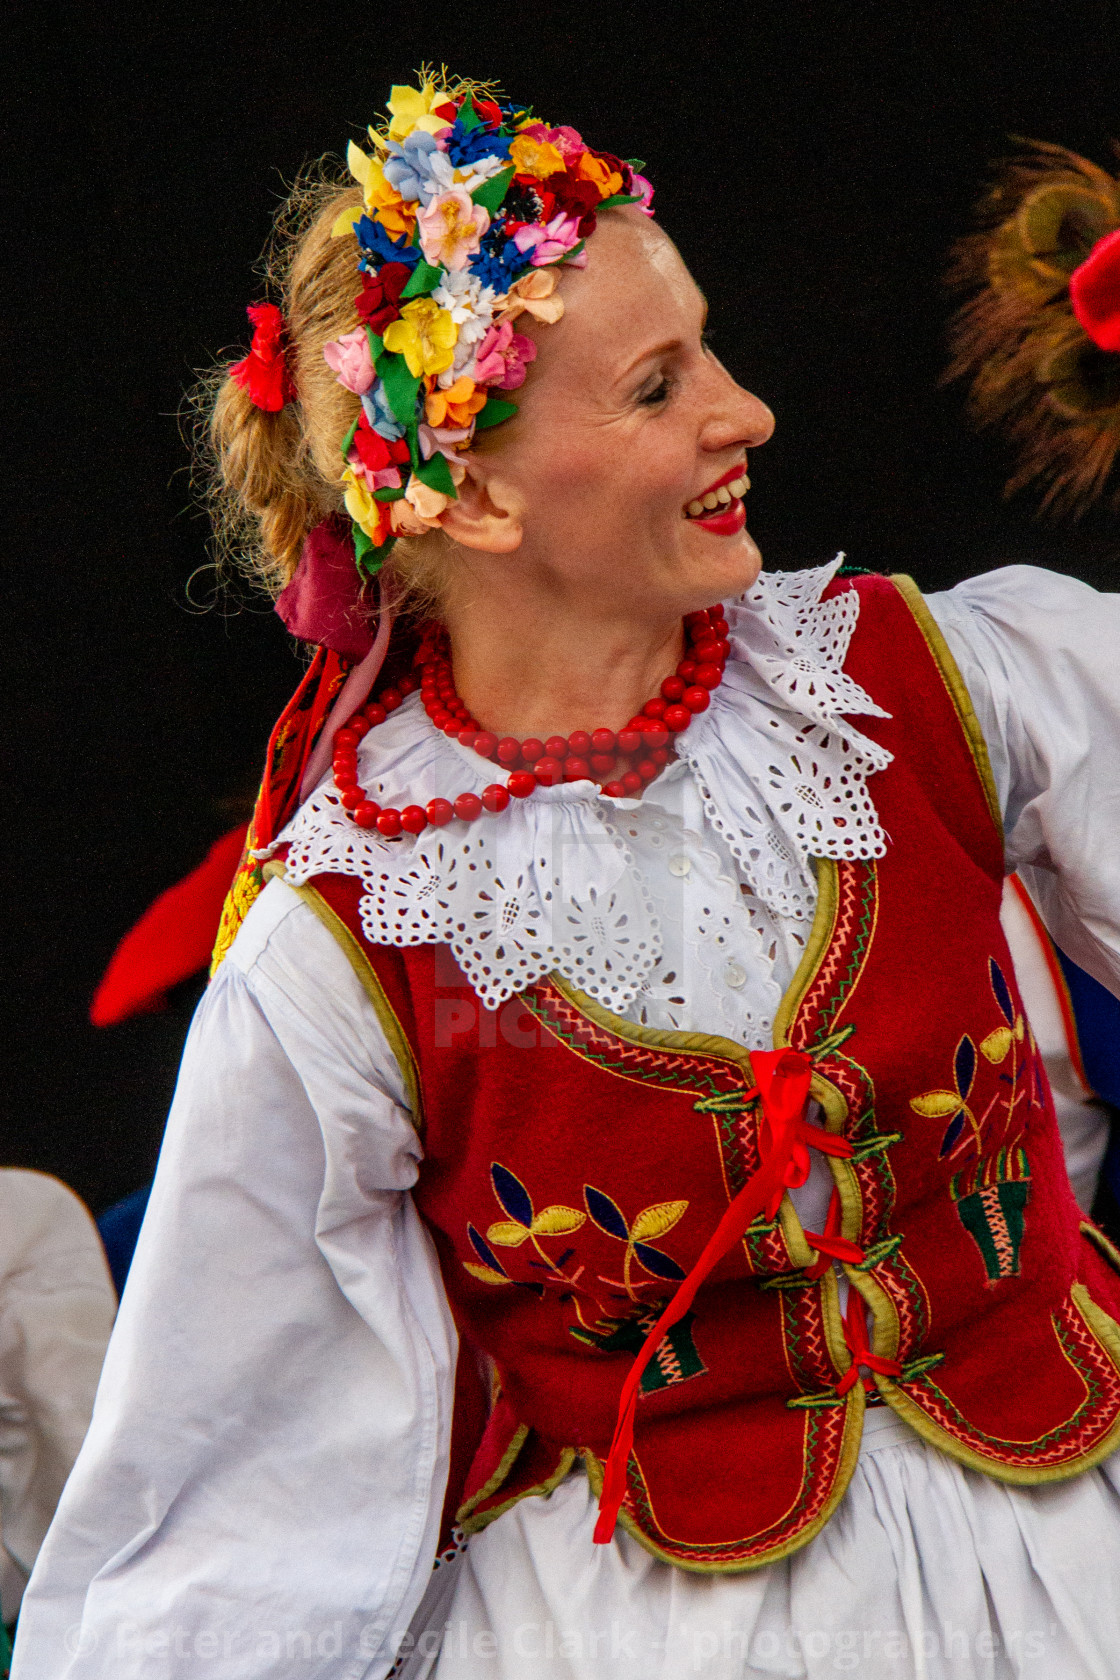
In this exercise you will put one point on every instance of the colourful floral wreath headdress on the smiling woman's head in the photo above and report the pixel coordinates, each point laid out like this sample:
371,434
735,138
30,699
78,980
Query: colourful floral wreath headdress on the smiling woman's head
469,207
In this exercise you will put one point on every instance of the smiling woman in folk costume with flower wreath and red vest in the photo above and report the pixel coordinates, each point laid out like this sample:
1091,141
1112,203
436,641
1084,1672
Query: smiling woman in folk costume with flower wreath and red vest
610,1160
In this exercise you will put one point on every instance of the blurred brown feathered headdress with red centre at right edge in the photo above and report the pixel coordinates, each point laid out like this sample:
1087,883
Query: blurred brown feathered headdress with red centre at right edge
1039,337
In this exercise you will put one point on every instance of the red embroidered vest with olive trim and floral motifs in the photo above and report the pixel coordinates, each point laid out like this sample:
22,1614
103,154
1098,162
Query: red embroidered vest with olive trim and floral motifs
575,1167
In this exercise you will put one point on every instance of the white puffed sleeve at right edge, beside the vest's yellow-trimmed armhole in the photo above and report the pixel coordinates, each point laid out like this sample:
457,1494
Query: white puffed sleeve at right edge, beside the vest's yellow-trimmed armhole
1040,656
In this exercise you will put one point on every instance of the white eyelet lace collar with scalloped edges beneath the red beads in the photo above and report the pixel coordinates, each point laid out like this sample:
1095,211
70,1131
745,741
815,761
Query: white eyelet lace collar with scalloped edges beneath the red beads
550,883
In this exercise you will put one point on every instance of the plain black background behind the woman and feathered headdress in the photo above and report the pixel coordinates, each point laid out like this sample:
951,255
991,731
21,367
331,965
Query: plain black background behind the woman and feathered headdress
812,160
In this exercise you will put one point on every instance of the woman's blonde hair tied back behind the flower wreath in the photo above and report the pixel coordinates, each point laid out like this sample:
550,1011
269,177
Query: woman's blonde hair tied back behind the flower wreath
271,478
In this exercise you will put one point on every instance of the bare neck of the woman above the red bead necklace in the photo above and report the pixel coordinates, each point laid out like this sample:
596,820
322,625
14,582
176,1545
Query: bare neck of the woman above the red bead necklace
540,669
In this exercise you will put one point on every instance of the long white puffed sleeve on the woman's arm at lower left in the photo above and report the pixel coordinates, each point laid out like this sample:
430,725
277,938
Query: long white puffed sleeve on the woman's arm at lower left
261,1486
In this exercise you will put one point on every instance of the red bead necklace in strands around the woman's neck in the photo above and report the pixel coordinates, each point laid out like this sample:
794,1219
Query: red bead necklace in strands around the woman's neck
620,762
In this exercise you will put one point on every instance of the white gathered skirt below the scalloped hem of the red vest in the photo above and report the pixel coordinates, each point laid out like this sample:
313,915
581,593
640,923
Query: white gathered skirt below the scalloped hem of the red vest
926,1570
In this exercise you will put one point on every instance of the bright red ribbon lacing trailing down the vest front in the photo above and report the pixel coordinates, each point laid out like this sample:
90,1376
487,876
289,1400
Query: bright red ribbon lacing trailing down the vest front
785,1142
